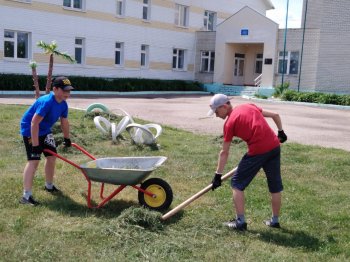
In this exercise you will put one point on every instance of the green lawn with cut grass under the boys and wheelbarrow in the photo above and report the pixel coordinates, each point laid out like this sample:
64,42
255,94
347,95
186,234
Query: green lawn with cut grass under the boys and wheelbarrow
315,213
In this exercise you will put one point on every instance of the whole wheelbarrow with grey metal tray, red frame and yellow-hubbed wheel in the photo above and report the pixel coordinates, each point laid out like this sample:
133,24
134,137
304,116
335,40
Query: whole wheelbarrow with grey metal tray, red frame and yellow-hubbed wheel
153,193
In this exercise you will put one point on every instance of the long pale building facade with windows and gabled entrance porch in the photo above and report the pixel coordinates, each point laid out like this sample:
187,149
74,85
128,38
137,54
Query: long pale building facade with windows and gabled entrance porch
222,41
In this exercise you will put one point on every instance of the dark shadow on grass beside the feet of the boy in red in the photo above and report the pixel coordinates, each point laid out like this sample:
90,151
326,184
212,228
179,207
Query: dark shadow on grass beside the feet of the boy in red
290,238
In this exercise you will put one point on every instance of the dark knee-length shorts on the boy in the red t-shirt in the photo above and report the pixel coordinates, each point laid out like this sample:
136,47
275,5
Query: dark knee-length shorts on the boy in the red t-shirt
249,166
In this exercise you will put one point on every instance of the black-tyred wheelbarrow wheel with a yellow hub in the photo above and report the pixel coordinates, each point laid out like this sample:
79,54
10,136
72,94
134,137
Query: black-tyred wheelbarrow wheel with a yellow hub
163,195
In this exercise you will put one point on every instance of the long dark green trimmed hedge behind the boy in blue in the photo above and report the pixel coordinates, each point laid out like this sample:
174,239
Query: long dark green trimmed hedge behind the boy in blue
25,82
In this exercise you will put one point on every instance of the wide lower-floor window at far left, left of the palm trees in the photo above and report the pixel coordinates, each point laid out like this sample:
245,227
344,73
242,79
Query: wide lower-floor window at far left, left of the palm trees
16,44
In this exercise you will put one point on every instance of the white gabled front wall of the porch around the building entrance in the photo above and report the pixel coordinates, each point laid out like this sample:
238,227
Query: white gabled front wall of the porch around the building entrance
261,31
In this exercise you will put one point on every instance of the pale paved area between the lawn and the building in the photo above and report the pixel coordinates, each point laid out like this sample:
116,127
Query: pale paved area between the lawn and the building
305,124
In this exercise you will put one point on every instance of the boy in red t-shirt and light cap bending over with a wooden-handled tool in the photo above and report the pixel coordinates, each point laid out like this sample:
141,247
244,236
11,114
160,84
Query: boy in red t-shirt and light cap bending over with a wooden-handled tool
248,122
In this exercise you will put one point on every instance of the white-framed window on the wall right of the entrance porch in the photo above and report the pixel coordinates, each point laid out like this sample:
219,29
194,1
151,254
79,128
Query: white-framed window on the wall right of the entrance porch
291,63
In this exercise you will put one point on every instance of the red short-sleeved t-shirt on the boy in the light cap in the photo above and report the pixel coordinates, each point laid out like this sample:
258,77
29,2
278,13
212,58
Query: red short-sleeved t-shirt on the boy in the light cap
247,122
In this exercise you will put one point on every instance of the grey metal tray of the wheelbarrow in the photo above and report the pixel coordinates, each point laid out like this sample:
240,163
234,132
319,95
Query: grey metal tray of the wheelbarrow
121,170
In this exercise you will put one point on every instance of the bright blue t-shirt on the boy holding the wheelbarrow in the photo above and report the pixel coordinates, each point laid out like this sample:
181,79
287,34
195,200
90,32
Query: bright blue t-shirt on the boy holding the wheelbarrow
48,108
